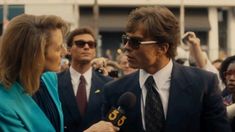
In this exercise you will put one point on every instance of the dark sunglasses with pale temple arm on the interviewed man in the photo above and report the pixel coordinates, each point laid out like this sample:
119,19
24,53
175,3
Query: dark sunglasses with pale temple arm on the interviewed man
135,42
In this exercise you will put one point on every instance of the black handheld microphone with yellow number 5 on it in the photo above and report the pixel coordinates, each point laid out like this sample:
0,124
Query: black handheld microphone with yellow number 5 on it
117,116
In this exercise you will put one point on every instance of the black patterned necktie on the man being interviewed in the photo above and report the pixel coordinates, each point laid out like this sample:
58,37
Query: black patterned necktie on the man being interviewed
154,114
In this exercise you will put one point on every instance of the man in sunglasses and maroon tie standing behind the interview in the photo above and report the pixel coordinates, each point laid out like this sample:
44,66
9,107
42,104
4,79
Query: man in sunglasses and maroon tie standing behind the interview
80,87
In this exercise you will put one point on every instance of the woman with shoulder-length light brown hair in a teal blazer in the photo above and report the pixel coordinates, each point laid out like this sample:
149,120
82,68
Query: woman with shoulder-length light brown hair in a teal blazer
30,46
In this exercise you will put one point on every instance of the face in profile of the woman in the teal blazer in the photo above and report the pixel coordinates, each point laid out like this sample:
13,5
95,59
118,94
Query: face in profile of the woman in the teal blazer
54,51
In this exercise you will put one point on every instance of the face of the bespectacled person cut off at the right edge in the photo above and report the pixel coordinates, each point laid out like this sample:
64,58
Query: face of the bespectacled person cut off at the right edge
230,77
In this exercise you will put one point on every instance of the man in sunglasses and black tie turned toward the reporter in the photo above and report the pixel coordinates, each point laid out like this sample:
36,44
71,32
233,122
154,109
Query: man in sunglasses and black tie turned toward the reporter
170,97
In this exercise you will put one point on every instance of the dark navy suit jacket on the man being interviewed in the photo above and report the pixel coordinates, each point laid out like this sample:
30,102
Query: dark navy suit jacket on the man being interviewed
195,103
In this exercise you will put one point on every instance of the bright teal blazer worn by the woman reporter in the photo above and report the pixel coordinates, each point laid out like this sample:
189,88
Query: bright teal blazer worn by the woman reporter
19,112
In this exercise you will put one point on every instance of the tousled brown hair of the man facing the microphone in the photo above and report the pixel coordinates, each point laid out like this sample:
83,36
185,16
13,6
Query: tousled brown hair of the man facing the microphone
159,23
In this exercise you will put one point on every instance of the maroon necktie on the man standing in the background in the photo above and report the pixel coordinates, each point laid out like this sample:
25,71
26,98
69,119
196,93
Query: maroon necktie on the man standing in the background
81,95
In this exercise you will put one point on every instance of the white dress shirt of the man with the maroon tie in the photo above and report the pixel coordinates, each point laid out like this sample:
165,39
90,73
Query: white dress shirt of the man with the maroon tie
75,76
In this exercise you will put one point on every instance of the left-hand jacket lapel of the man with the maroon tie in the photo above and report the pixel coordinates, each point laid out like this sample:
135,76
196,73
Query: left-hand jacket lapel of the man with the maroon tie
69,97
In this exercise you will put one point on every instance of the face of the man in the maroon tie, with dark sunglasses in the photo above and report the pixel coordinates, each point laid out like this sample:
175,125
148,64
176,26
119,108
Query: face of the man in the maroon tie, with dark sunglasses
83,49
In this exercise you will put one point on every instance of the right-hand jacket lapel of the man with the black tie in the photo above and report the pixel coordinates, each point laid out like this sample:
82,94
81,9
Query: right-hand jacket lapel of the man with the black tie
180,99
